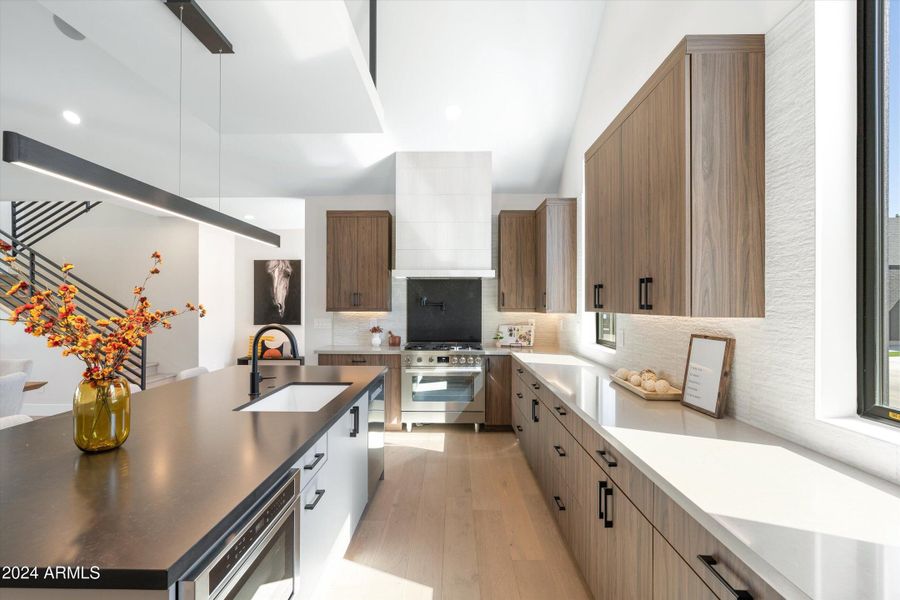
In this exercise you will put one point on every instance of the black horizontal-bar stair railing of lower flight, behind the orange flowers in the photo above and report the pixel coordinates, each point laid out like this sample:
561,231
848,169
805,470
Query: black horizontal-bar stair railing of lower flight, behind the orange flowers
94,304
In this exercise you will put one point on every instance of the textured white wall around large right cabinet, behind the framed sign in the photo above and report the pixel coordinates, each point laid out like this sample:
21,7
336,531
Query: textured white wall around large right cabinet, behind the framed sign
773,383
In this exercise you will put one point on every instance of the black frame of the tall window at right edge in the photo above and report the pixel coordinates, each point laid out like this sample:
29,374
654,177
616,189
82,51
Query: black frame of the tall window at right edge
872,353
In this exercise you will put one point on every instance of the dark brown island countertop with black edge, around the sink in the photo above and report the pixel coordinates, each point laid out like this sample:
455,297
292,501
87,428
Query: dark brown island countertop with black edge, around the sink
147,511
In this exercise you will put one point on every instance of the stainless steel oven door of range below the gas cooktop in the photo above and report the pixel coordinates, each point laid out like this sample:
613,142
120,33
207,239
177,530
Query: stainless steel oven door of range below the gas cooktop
443,390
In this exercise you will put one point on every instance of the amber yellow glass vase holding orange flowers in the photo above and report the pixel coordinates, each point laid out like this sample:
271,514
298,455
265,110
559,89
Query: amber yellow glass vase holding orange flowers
101,413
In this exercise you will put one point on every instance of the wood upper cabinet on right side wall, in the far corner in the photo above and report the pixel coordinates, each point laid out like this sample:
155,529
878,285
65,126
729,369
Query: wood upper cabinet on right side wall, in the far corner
556,238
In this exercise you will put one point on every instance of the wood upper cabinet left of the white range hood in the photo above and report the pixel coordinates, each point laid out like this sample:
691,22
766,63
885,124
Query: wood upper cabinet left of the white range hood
358,263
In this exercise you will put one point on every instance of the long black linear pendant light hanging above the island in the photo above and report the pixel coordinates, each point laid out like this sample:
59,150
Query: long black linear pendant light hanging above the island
37,156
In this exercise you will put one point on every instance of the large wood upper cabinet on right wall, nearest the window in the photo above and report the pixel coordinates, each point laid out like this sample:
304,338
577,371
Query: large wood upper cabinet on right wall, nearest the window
675,188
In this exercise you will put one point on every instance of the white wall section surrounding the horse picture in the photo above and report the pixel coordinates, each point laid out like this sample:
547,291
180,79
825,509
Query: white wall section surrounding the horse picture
245,252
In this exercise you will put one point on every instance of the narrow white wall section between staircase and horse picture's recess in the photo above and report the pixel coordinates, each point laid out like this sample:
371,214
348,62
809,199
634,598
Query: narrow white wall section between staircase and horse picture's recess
217,267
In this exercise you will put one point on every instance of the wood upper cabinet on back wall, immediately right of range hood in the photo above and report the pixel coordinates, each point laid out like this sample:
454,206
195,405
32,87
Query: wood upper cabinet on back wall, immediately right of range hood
517,251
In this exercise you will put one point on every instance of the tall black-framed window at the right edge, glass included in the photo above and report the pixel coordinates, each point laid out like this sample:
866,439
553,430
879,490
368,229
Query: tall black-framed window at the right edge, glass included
878,181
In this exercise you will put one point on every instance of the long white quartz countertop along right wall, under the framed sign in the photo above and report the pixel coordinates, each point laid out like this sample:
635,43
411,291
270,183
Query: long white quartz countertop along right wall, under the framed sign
809,525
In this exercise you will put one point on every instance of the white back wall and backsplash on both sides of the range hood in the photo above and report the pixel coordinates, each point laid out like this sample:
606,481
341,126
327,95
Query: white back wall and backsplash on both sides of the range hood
326,328
